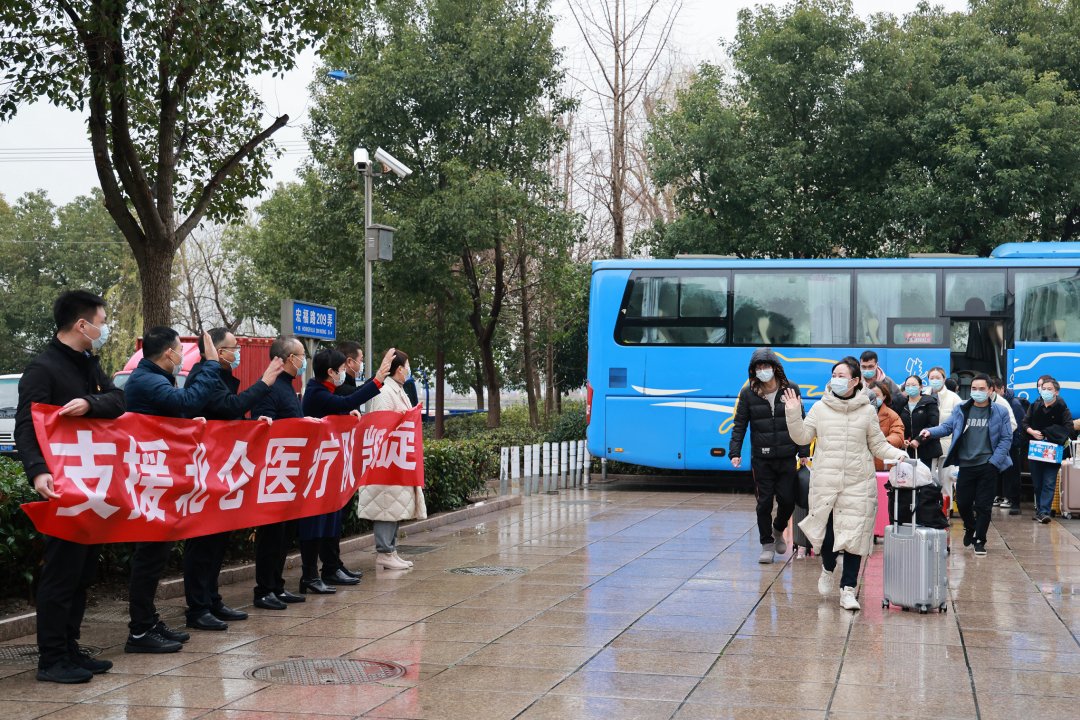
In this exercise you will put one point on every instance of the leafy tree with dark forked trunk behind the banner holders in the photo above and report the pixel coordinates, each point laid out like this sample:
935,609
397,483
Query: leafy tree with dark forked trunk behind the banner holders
177,129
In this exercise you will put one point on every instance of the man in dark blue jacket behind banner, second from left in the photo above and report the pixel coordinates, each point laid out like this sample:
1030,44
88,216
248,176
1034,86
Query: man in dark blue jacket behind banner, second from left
152,390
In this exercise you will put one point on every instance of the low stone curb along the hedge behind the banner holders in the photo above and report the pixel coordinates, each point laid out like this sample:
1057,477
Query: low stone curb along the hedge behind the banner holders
26,624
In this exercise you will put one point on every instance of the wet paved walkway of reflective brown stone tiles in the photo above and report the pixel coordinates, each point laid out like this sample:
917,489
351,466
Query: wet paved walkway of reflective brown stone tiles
634,605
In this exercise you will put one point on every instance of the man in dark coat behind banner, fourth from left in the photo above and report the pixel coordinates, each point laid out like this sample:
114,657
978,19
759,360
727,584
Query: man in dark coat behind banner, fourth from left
272,541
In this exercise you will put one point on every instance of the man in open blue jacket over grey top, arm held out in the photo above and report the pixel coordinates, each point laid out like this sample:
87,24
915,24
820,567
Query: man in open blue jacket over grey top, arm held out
982,437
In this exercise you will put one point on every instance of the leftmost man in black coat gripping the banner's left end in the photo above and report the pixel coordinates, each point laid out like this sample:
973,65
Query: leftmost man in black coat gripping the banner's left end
65,374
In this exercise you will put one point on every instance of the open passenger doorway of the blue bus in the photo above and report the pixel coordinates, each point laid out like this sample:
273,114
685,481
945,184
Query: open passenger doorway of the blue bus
976,303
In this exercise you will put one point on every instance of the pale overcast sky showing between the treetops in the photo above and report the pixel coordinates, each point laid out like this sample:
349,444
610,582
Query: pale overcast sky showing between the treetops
40,131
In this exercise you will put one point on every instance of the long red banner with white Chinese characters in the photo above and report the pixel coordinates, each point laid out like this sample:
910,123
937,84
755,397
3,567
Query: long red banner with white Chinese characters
147,479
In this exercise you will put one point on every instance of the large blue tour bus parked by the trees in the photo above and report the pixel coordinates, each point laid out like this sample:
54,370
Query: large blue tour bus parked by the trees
670,341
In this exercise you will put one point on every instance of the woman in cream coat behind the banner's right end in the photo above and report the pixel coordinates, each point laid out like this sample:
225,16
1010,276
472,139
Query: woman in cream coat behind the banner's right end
387,506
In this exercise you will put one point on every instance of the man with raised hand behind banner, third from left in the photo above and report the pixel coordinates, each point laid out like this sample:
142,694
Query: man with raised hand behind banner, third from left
205,555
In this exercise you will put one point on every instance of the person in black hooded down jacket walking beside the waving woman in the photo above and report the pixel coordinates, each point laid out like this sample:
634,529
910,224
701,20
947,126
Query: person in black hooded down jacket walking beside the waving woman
774,455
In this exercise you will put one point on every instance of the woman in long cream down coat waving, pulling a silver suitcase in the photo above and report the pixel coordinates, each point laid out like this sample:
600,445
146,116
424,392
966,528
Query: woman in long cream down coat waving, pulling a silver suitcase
843,488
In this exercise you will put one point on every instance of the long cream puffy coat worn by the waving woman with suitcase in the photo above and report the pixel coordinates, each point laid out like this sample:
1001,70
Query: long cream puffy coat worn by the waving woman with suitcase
843,476
